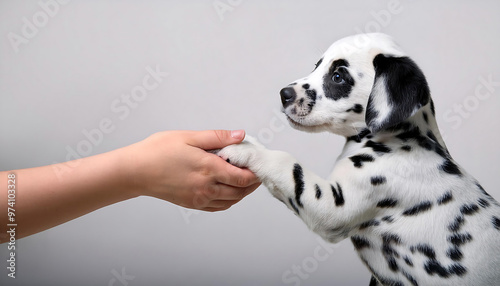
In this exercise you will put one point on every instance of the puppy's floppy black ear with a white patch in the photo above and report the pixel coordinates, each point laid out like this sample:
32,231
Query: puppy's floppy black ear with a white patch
399,91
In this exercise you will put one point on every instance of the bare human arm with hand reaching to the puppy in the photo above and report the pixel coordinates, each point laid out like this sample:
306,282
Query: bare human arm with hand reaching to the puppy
170,165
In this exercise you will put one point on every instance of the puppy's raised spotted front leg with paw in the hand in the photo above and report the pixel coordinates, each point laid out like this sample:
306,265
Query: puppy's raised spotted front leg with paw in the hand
319,203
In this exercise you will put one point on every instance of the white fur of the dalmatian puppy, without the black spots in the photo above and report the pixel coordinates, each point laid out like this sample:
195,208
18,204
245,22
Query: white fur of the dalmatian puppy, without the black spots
411,178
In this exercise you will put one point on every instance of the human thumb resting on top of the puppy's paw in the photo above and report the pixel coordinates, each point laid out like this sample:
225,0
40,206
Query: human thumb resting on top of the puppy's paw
215,139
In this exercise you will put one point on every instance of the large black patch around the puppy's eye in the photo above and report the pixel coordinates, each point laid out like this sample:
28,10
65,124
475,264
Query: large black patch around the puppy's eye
334,90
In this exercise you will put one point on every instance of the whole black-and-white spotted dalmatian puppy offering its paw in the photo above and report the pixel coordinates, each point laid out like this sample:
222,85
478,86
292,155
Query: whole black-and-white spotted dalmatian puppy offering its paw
414,216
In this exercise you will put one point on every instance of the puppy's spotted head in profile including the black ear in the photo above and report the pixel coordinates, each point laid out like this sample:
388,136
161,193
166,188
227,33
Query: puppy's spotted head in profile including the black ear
362,81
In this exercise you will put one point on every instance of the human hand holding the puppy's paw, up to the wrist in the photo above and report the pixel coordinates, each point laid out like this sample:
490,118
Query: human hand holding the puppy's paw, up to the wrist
174,166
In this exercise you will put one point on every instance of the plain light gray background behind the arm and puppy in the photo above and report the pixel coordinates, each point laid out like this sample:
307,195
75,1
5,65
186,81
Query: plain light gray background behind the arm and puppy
225,72
